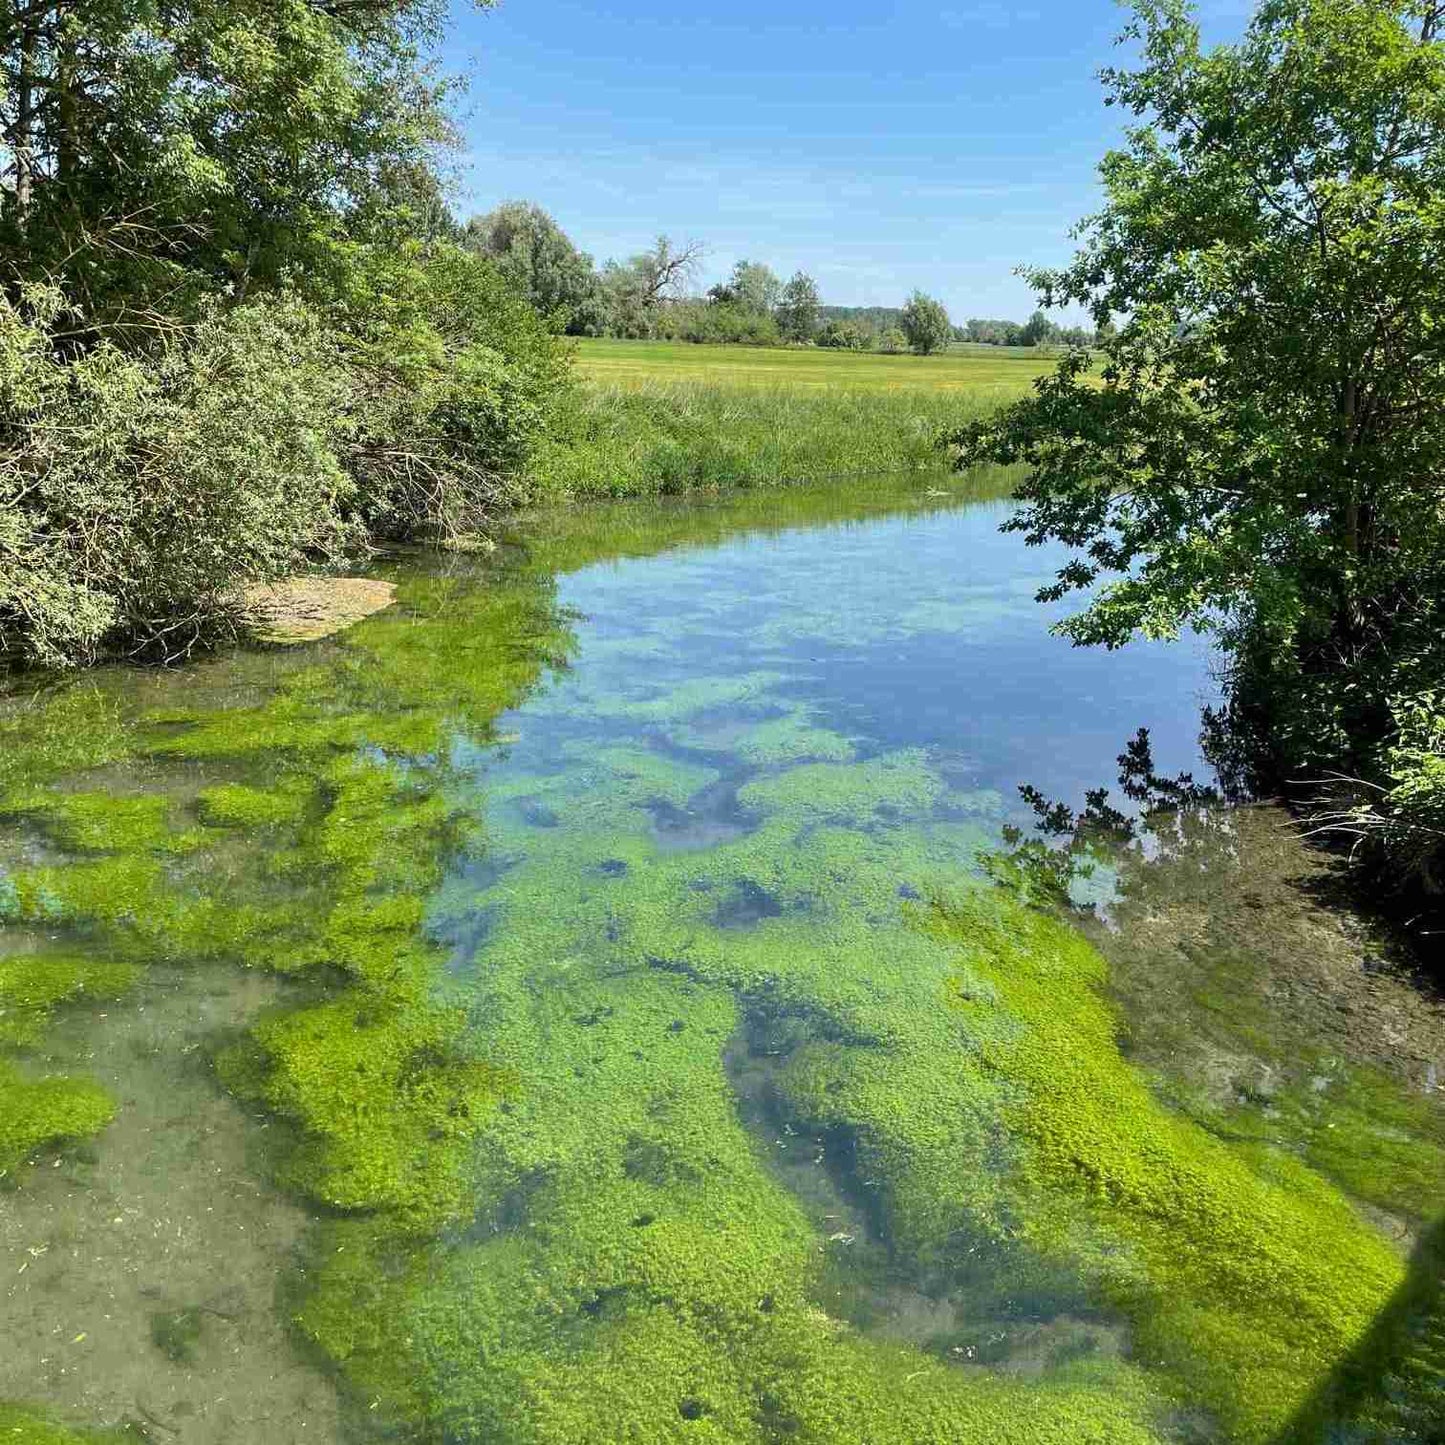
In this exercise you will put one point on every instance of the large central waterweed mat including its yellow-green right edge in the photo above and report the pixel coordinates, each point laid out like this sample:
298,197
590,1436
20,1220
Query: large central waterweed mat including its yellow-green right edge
628,1233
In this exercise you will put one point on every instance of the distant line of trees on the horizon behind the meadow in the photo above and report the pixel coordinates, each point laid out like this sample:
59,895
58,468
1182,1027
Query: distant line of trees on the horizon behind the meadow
651,297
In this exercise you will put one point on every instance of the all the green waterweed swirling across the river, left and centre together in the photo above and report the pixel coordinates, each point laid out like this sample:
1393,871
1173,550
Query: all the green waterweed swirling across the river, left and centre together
657,1066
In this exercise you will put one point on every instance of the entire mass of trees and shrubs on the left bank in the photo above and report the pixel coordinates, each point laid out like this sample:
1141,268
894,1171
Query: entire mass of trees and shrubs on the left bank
238,335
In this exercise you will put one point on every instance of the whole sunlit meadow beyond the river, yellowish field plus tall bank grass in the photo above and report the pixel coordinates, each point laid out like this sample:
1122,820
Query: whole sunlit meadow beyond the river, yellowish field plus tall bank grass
664,417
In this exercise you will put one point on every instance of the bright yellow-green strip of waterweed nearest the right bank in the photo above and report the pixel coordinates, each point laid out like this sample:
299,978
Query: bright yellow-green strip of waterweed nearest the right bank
1245,1274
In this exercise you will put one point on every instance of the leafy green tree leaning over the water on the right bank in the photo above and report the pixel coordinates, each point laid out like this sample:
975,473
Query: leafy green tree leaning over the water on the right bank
1265,446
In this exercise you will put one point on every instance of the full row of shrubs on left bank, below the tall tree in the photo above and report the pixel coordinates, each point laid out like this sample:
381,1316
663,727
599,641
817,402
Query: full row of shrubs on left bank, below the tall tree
142,491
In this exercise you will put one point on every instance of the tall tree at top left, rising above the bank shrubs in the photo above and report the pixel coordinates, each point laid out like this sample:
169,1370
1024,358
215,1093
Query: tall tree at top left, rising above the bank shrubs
150,151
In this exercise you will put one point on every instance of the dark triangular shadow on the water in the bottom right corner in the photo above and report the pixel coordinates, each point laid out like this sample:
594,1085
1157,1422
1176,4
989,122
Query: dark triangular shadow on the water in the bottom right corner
1391,1389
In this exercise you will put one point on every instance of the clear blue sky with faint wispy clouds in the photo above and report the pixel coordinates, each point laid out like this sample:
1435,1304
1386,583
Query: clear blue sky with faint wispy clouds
933,145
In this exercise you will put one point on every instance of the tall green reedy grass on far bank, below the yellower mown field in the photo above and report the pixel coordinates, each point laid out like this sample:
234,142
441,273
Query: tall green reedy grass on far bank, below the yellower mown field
674,437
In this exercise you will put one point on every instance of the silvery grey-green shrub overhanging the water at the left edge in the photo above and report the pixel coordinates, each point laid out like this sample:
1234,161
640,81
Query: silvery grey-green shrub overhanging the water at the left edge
138,492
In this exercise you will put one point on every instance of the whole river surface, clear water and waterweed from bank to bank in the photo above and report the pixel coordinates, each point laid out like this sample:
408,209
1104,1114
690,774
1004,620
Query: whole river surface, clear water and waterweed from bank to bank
569,1008
